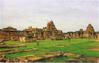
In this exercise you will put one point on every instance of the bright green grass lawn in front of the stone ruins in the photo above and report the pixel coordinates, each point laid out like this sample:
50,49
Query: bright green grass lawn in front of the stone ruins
77,46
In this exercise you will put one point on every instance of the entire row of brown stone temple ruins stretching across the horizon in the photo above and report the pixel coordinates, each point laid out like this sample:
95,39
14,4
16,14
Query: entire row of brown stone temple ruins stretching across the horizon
48,32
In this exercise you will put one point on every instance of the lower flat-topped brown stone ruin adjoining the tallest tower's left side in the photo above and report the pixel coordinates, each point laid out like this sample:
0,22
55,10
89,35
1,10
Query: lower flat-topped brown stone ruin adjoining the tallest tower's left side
34,33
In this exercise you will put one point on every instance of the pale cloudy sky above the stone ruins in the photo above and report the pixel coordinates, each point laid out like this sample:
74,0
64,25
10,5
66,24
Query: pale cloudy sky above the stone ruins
68,15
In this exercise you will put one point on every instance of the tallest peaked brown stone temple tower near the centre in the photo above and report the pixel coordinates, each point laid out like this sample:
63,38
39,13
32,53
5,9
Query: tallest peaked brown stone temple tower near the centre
51,32
